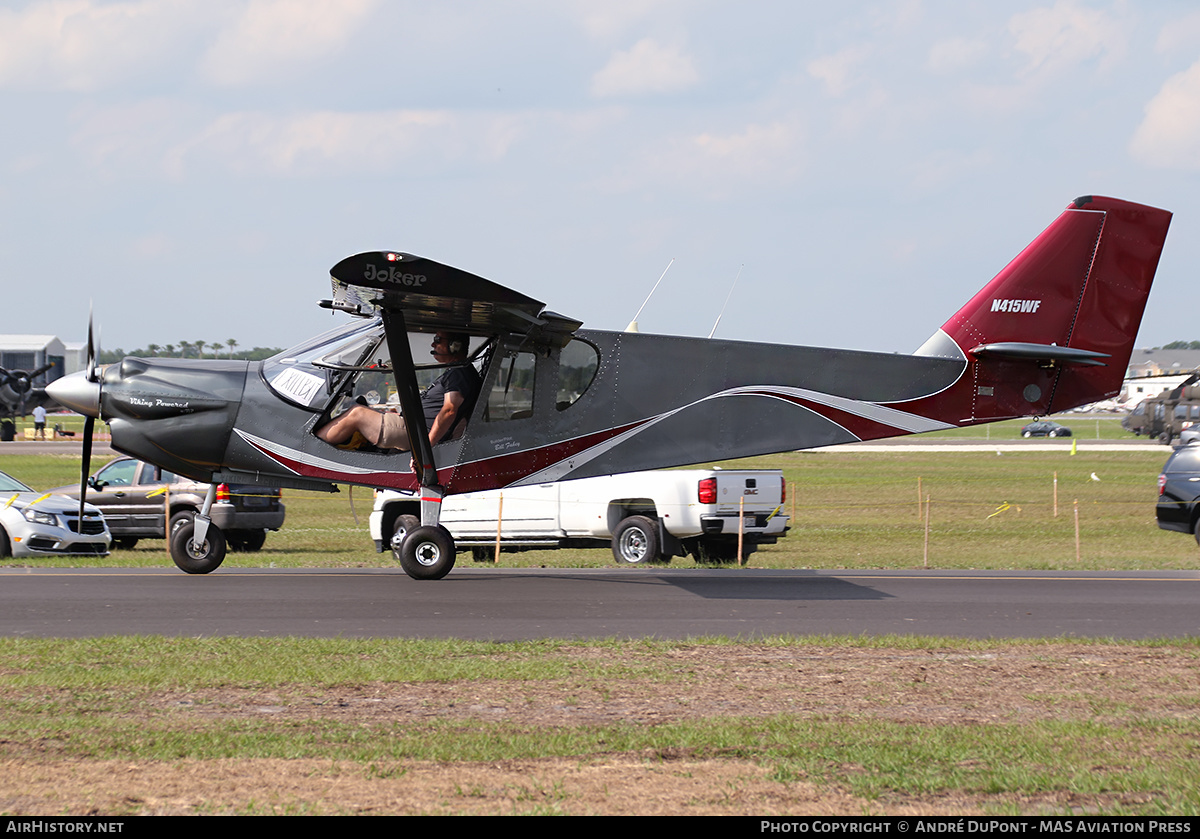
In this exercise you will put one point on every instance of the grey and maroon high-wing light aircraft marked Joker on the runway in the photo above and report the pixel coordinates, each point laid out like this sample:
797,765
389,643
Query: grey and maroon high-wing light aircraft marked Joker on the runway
1052,332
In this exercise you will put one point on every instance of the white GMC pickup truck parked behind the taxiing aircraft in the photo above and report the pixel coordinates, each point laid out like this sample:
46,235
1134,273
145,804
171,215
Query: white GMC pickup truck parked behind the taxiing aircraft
646,517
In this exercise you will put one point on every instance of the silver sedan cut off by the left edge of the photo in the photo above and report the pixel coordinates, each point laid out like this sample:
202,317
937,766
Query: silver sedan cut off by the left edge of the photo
39,525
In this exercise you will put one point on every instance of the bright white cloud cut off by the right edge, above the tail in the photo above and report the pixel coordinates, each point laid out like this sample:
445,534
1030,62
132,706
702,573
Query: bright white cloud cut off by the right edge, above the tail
1169,136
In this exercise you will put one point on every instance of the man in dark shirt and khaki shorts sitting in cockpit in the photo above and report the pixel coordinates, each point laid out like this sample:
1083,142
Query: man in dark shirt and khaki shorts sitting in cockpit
447,404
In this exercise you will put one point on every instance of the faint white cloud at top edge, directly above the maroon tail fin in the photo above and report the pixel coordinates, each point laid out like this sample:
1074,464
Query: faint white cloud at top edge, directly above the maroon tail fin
1066,35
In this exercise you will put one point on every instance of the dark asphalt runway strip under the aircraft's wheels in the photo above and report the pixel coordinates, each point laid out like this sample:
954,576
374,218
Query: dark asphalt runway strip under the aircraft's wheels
521,604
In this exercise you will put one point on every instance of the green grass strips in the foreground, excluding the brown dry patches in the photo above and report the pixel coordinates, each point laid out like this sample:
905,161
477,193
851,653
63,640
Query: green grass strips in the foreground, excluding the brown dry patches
147,699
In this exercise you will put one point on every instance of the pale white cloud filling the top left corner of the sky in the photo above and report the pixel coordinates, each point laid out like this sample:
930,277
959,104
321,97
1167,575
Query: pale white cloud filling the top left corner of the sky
85,45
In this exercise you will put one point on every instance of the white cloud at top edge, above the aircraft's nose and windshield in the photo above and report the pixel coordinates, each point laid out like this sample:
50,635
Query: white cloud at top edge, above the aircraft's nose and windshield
271,38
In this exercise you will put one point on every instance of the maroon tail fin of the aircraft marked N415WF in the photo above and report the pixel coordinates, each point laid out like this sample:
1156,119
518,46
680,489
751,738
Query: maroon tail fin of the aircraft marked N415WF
1055,329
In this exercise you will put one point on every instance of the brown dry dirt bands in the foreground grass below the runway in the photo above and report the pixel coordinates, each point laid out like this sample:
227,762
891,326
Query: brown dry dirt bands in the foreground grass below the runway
1007,685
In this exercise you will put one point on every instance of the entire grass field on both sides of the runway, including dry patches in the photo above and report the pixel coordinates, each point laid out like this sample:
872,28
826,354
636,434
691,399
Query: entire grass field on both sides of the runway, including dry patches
811,726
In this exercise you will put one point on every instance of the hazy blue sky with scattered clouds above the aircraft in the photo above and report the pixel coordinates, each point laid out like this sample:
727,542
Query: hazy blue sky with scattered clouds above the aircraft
829,175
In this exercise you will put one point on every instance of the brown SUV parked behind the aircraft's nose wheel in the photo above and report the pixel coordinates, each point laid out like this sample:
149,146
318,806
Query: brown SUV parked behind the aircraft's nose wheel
141,501
